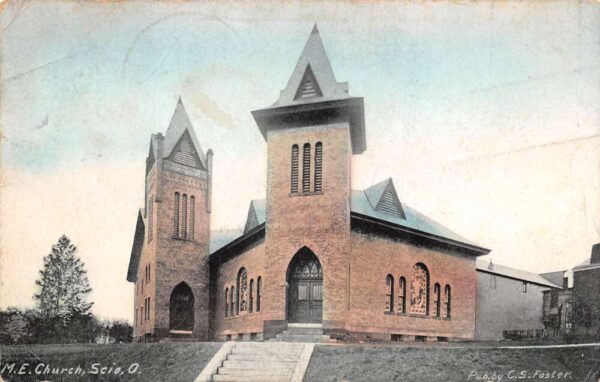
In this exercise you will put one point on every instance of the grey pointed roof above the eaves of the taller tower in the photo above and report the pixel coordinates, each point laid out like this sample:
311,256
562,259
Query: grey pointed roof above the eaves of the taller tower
313,65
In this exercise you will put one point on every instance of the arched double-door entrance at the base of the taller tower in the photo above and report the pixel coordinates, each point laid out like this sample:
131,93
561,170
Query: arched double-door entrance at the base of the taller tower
305,288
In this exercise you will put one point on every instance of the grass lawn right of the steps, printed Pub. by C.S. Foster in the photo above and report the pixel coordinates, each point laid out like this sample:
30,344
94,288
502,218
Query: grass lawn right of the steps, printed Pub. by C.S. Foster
448,363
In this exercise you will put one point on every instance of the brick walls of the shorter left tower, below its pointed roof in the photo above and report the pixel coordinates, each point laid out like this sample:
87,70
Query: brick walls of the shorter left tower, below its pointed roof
173,260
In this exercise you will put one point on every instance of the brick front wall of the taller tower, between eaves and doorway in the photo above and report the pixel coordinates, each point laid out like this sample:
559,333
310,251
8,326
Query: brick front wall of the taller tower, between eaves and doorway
318,221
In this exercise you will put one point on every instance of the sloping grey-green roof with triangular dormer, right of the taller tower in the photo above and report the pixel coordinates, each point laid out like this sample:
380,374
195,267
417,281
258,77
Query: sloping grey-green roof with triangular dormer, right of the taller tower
365,202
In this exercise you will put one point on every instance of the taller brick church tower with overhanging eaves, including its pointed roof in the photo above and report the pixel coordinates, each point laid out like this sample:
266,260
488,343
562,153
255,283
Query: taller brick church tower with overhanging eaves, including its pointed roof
312,131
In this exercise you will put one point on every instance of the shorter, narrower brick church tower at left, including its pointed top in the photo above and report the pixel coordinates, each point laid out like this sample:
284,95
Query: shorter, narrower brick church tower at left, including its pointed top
169,261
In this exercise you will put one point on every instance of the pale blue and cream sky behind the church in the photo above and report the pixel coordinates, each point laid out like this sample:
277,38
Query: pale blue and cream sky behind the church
485,114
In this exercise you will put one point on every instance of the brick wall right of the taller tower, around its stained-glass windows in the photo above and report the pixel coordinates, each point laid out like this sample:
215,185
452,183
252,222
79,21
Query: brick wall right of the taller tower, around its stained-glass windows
373,258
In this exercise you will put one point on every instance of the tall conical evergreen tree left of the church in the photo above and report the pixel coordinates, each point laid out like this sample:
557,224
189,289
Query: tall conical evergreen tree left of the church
63,284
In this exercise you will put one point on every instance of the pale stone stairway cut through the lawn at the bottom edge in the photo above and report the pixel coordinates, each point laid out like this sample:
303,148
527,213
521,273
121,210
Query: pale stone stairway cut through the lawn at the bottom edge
265,361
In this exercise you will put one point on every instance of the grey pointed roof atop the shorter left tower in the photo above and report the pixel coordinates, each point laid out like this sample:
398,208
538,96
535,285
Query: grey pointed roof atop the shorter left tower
180,131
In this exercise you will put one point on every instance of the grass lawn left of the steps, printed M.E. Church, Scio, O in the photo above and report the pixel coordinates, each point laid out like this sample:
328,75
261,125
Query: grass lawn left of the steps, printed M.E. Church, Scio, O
181,361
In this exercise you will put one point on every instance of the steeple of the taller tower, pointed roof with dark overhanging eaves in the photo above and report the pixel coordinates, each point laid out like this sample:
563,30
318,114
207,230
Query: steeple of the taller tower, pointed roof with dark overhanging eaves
312,96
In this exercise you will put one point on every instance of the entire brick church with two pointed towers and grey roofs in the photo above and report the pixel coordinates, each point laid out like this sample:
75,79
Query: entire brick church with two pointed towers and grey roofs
357,263
